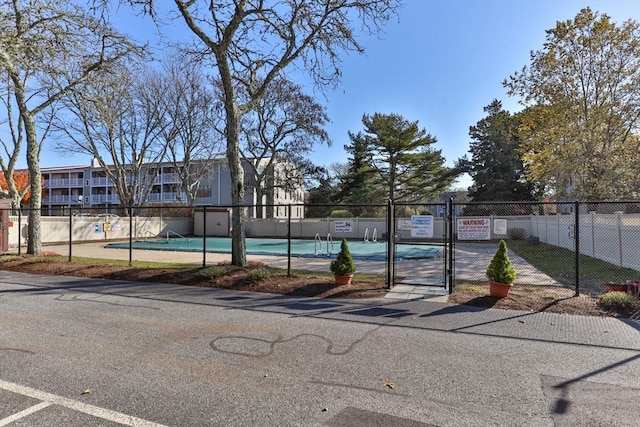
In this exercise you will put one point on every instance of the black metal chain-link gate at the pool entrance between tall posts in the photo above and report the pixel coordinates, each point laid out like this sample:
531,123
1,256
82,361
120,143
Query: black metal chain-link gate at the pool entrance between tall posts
419,245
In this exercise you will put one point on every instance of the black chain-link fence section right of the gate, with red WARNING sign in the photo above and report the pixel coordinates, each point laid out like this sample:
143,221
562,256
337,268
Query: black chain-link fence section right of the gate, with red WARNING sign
583,247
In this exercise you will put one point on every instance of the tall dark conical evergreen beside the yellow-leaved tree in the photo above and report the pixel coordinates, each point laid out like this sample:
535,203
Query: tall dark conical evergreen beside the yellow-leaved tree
496,166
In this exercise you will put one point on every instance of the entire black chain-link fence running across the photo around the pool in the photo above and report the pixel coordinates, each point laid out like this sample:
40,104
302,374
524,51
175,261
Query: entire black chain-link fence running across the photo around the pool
569,247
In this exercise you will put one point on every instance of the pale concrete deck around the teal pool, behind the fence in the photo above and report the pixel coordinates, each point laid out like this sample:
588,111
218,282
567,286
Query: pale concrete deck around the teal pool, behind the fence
471,261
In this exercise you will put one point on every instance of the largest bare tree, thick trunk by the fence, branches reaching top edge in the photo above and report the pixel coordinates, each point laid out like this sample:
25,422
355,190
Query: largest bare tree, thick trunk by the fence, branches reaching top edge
251,42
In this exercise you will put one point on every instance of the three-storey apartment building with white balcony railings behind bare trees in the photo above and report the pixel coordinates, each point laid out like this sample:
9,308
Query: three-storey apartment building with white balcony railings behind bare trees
88,187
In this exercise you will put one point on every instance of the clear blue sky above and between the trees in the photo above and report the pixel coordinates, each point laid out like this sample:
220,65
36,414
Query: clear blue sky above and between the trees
439,63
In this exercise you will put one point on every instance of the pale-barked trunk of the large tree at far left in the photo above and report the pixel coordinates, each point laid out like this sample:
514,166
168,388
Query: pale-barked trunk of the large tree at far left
34,238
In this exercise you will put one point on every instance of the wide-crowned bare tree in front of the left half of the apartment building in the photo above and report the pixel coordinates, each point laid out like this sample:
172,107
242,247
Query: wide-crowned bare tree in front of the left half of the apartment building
116,119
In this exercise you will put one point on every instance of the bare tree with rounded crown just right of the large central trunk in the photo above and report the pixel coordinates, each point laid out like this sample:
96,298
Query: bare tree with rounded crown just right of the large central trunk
277,136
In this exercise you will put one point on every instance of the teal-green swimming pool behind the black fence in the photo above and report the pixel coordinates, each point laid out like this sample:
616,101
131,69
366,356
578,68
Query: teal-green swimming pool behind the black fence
376,251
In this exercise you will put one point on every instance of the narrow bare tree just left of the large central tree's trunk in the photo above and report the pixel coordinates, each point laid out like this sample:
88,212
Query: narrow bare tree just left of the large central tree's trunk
188,102
